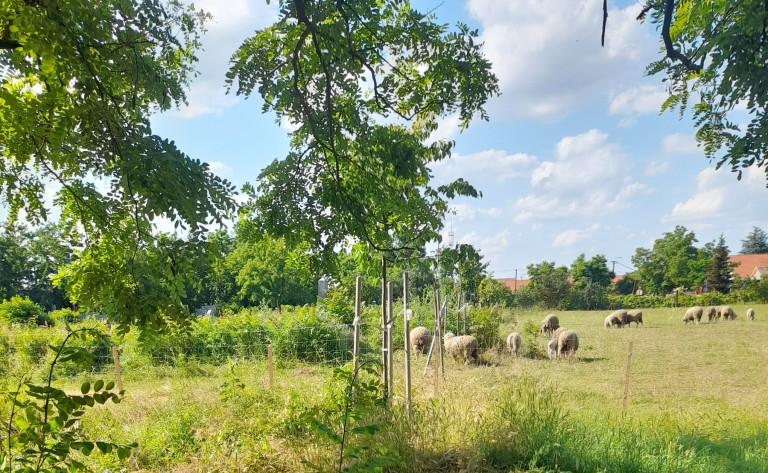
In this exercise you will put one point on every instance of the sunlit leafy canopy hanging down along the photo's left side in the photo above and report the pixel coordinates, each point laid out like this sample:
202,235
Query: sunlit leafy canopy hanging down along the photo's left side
78,82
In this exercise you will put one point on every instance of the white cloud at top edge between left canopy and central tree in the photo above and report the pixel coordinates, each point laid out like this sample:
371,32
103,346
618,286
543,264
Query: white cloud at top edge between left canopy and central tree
232,22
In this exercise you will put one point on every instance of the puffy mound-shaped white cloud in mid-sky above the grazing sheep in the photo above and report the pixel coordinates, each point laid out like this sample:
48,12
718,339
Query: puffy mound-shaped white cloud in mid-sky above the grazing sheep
588,176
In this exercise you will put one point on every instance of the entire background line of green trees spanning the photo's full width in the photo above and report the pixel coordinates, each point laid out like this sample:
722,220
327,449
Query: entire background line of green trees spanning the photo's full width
247,269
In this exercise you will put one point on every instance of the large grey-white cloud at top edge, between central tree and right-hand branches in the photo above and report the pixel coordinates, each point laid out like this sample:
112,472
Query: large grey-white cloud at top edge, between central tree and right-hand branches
548,57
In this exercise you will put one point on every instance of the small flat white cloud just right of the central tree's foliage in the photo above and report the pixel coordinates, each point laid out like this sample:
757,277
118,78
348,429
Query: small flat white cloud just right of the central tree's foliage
490,166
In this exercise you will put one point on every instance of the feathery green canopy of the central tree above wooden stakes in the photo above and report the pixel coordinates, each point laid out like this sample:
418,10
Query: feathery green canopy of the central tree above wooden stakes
364,84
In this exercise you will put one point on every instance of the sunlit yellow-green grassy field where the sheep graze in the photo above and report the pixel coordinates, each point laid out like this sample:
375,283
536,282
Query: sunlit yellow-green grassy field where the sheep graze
697,402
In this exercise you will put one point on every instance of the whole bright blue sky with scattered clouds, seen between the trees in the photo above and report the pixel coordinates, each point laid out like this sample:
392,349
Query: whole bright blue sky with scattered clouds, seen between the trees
575,158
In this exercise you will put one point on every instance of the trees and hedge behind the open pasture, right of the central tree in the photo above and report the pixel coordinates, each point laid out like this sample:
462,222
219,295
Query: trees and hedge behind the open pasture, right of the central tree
672,272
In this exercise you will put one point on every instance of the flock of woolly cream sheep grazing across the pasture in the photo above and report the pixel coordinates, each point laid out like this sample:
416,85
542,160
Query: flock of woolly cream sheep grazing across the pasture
563,342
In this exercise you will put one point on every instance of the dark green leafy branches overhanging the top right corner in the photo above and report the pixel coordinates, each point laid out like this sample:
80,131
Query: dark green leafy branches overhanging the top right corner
715,56
